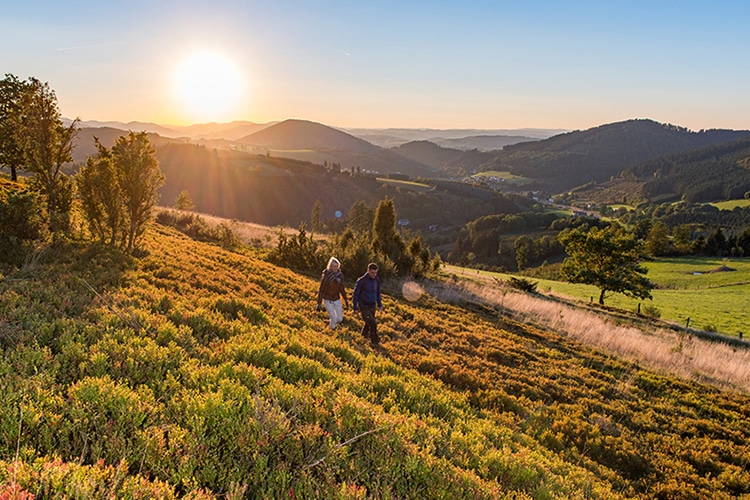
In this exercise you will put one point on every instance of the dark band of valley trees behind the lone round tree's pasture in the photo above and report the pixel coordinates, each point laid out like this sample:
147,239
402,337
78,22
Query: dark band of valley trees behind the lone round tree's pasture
514,242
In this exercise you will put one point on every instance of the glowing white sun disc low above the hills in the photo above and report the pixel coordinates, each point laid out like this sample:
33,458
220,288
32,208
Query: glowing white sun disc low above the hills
208,86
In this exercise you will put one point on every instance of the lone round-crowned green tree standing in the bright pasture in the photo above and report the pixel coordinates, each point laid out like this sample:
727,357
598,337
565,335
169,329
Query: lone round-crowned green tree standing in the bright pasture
607,258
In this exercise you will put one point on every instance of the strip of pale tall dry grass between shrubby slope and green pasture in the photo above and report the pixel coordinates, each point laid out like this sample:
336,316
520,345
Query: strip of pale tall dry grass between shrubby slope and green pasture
675,352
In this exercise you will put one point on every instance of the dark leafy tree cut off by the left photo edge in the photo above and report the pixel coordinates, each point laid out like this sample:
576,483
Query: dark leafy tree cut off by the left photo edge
11,93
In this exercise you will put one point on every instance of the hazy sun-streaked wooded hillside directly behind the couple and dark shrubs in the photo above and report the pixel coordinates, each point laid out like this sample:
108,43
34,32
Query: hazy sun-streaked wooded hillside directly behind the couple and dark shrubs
273,191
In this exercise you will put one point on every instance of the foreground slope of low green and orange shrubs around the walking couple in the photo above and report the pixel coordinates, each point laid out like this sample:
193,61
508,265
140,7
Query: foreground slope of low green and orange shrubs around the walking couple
197,370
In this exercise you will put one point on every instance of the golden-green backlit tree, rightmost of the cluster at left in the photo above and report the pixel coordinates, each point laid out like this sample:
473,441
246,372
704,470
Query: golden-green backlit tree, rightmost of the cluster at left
139,178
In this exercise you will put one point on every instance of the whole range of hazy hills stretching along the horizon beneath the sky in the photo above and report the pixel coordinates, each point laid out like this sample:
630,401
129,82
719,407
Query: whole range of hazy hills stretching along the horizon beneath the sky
556,164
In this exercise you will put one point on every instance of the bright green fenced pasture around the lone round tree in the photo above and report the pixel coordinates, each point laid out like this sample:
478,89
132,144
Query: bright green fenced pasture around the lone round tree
685,288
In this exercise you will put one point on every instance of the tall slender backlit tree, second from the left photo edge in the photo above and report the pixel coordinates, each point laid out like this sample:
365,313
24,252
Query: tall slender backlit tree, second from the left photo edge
47,145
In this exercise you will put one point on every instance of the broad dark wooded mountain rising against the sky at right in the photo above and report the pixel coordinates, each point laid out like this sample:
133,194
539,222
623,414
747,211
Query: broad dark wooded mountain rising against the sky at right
568,160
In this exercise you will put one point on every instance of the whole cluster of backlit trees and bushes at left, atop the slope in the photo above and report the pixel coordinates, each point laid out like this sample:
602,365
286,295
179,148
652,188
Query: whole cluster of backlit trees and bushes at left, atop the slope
111,199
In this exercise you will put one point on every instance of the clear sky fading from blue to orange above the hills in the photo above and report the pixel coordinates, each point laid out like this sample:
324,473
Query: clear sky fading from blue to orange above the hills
435,64
